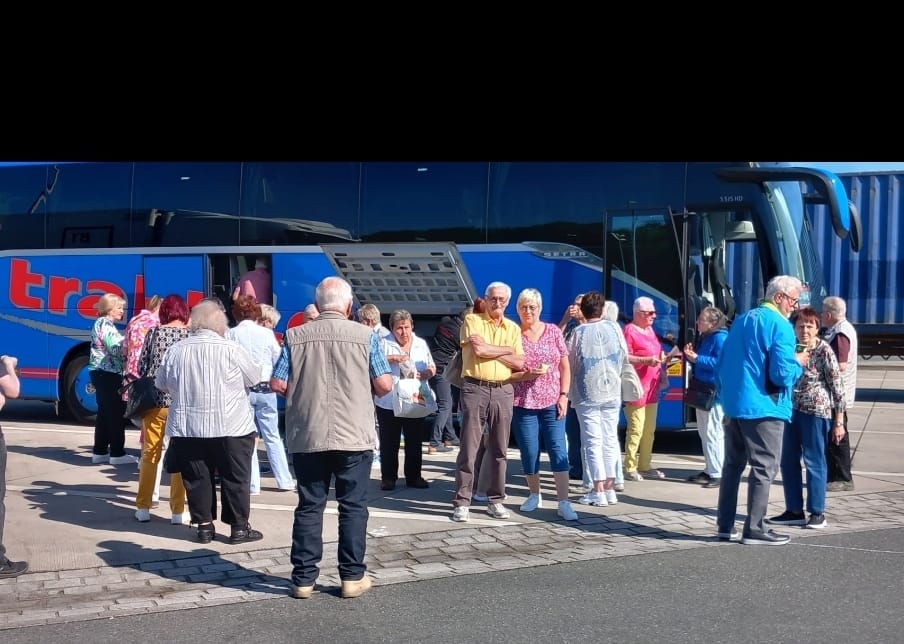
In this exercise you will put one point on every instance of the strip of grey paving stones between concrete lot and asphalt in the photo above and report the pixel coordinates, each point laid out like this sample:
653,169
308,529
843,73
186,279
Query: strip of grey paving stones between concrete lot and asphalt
214,579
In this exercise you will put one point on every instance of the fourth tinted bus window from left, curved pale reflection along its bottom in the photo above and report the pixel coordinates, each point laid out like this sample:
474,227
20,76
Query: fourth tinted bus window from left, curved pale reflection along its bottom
299,203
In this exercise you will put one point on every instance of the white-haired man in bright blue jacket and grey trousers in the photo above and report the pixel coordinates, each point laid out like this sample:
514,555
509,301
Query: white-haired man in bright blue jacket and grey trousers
755,375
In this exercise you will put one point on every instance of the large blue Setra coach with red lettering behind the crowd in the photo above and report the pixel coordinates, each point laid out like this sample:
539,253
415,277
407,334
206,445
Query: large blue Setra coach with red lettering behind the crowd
427,237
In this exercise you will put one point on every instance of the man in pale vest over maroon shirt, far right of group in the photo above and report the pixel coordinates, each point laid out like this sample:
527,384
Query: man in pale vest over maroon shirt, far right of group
842,337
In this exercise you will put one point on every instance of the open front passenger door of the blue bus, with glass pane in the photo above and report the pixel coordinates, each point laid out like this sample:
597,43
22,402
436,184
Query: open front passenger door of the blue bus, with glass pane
643,257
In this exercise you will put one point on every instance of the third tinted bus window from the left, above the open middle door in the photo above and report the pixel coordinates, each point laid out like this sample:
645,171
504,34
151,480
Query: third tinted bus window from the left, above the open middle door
186,204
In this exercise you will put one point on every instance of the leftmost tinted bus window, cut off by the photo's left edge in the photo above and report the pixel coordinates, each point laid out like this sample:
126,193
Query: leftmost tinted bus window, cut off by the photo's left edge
22,206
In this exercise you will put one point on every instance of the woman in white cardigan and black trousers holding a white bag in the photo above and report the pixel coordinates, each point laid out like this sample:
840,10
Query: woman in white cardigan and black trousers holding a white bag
408,357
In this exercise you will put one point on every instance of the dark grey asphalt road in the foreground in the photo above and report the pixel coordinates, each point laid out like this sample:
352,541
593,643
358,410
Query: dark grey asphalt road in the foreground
837,588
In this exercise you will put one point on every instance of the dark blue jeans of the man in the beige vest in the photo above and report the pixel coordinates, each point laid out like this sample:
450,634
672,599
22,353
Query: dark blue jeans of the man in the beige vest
315,472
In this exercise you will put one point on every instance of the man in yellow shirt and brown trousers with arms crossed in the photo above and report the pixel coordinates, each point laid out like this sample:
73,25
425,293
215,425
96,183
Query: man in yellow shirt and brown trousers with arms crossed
491,351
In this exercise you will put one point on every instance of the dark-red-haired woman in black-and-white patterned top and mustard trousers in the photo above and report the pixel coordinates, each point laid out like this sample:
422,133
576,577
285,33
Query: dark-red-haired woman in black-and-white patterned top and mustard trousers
173,317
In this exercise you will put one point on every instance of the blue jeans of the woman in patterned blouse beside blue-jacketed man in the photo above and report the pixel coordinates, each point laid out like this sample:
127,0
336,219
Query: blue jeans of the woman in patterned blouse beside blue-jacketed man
805,436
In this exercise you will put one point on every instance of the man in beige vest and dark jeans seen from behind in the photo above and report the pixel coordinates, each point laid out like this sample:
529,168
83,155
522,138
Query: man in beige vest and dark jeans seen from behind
328,370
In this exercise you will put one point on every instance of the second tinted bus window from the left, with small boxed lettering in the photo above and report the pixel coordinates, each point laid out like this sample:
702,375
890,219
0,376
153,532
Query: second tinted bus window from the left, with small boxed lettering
89,205
